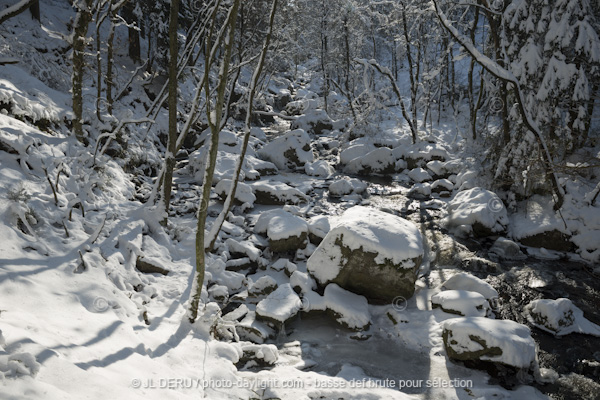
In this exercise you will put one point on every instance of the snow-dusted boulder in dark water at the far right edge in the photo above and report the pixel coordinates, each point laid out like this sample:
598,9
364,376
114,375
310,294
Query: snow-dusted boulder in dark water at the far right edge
559,317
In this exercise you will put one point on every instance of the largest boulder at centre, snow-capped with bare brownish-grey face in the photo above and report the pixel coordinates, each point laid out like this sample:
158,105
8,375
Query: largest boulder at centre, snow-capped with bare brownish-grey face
371,253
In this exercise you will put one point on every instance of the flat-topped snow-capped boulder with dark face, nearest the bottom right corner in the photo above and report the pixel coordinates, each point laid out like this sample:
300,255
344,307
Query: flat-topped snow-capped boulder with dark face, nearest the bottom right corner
483,339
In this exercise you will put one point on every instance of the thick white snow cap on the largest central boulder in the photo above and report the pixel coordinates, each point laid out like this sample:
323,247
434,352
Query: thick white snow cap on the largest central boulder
391,238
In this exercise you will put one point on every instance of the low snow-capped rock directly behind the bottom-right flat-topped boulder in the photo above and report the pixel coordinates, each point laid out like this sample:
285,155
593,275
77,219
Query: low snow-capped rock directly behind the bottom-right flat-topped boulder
461,302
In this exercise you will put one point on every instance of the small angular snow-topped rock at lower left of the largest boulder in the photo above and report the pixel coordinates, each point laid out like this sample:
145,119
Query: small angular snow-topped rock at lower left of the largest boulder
279,306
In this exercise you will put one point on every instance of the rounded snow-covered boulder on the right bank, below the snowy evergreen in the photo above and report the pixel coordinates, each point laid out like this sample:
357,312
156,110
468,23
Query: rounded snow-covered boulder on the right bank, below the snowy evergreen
480,209
